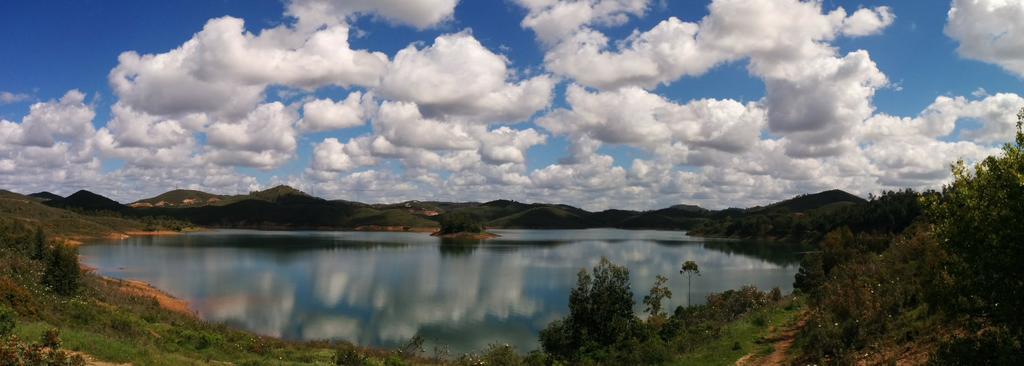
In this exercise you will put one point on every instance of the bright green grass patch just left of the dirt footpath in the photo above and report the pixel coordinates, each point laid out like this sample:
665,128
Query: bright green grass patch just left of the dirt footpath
751,333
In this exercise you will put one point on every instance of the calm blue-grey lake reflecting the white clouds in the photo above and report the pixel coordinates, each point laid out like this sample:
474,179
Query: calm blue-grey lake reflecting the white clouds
380,290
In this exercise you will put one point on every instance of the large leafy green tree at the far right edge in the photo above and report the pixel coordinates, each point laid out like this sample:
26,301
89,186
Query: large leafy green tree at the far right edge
980,219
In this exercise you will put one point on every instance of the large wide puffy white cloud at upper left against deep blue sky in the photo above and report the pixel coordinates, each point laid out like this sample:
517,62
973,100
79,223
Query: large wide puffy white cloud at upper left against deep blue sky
225,70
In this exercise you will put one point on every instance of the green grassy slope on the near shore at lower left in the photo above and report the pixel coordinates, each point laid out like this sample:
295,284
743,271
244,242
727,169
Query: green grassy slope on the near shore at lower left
113,327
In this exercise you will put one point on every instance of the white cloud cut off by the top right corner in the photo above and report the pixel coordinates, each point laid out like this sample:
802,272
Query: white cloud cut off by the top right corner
990,31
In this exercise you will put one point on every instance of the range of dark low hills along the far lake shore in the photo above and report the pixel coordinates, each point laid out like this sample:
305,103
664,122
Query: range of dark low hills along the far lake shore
285,208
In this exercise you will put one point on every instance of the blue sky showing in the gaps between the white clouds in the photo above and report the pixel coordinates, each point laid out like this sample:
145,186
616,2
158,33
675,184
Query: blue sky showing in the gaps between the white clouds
52,48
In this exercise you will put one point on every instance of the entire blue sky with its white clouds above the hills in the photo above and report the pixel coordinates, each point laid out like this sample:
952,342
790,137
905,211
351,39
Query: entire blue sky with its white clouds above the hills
601,104
